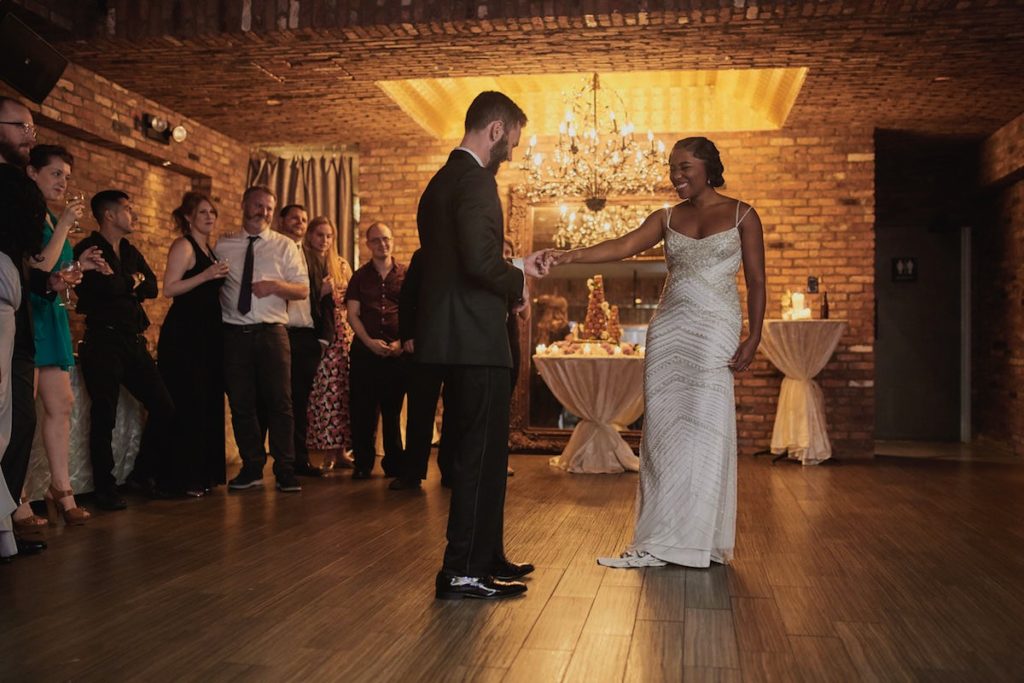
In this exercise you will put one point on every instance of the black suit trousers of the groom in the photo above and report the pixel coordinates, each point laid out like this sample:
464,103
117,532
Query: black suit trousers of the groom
479,412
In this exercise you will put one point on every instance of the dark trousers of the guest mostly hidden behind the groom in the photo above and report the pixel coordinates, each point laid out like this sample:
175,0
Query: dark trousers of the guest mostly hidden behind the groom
425,381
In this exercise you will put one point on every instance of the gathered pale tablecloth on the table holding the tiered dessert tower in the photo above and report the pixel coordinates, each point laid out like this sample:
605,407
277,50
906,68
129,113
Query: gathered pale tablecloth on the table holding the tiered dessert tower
607,393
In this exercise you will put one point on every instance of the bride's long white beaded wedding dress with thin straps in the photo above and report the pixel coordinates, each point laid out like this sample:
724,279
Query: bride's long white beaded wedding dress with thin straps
687,505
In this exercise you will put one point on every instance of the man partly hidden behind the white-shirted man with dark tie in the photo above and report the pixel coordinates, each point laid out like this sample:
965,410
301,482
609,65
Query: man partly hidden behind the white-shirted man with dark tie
307,350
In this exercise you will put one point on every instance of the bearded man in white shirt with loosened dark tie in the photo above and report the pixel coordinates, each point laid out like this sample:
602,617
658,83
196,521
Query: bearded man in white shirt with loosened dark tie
266,273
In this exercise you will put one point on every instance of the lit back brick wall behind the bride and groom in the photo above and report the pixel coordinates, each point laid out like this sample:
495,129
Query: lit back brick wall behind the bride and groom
815,191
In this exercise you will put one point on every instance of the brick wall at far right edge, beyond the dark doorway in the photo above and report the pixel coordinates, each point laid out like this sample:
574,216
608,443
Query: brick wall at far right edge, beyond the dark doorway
999,293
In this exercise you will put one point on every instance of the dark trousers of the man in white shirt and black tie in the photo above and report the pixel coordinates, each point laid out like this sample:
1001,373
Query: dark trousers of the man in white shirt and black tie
258,374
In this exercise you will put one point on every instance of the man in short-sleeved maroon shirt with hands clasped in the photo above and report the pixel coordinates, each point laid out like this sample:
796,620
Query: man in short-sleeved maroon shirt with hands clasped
377,374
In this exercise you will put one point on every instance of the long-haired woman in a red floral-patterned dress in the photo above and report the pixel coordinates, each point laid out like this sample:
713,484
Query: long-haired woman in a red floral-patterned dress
328,413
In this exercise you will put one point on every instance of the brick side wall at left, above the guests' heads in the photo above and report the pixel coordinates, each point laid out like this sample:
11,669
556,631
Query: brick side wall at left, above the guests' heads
95,119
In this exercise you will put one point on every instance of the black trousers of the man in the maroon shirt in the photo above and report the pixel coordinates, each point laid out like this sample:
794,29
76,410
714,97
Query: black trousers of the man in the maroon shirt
377,387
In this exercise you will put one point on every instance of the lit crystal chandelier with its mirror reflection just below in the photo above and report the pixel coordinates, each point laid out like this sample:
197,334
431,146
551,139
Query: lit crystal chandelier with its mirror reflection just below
596,157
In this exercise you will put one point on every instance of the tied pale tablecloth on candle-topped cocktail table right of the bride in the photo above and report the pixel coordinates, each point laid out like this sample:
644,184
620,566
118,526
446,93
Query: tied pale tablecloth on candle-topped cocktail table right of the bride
801,350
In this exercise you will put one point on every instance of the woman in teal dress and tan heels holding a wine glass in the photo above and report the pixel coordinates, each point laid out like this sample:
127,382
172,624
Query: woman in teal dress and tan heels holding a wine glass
51,168
